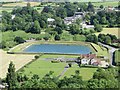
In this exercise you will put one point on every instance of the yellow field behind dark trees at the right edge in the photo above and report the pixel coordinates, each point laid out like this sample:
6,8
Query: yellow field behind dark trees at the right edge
113,31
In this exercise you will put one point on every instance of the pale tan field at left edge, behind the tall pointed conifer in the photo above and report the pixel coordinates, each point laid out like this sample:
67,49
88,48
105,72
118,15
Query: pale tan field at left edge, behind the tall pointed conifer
18,59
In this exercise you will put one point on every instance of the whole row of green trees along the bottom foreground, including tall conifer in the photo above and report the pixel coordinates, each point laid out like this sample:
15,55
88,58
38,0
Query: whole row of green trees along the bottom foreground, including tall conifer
102,78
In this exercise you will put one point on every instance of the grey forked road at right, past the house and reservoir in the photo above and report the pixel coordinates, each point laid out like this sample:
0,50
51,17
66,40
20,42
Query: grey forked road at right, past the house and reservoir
111,51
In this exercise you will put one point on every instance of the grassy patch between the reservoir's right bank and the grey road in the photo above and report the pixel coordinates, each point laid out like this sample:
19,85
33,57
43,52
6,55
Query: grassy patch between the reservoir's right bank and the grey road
101,50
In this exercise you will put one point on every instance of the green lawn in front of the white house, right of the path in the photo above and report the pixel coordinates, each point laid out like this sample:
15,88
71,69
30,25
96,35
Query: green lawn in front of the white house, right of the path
86,73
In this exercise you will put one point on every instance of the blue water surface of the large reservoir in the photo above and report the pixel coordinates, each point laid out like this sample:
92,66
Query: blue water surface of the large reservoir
58,48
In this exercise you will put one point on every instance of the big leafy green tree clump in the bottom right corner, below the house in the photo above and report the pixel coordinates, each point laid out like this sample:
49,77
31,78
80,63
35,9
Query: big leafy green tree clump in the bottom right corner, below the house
104,79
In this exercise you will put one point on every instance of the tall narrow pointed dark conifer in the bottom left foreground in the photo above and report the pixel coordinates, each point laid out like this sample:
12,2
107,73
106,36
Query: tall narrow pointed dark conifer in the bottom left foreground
11,78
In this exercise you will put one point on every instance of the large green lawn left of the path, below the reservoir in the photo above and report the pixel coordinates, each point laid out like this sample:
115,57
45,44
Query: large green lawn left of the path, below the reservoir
42,67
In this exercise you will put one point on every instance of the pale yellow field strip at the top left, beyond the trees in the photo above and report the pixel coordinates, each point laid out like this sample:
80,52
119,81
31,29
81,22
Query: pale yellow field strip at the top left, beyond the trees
20,4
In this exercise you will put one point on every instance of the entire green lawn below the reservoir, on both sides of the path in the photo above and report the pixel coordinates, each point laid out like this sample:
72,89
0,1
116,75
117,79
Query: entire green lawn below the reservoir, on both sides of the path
42,67
